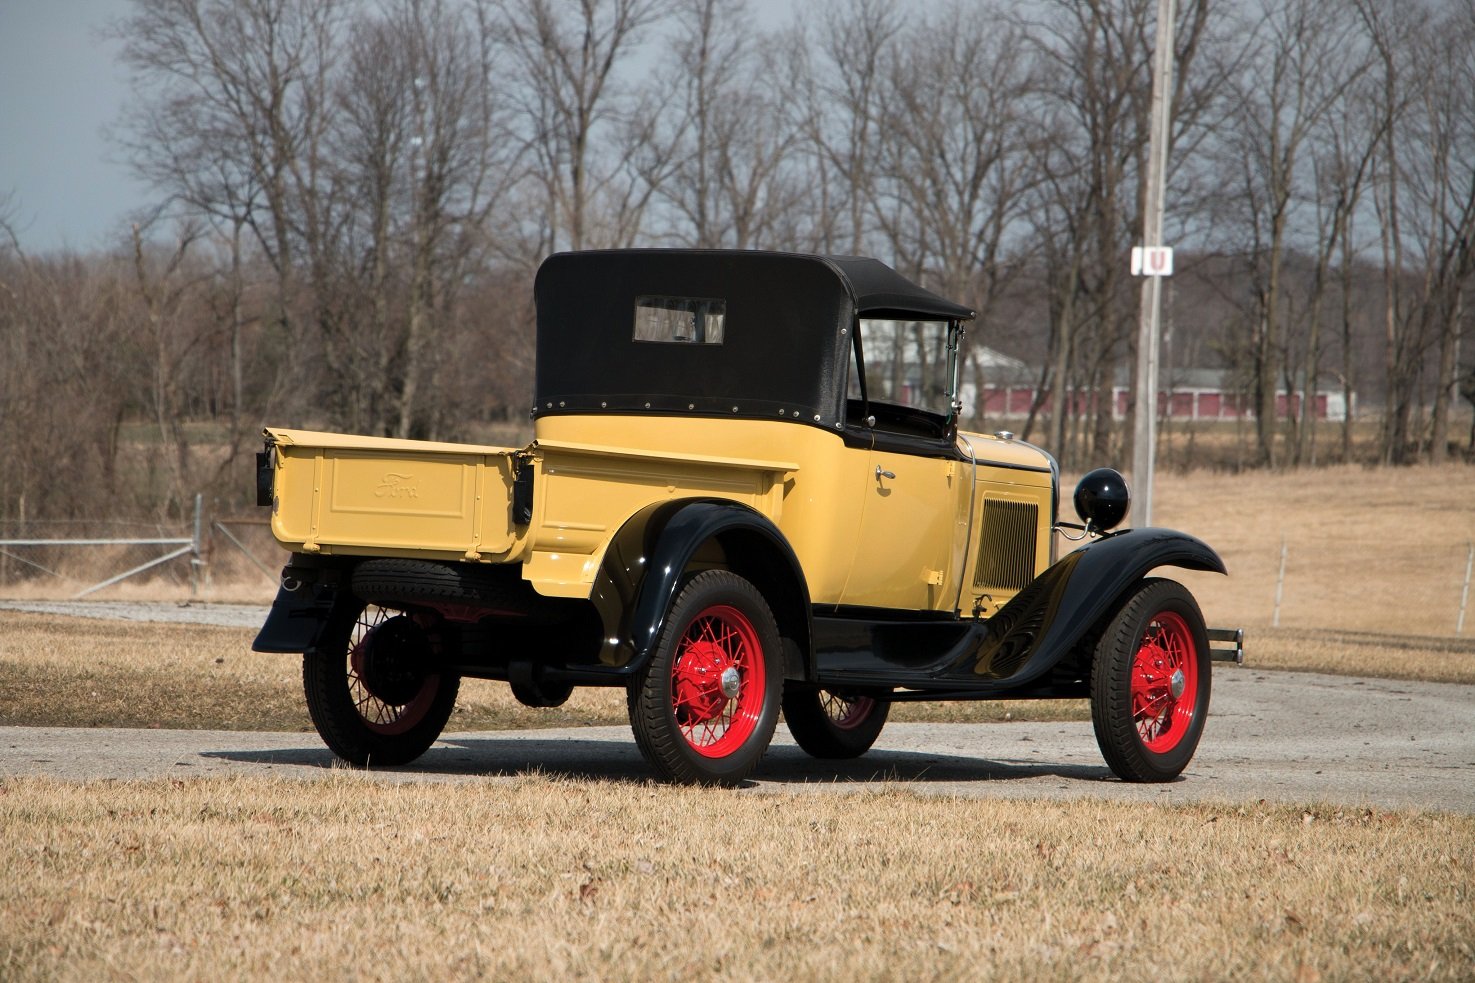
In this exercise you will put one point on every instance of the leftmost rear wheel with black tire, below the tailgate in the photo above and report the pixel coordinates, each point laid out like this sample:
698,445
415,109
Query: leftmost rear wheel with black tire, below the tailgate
374,689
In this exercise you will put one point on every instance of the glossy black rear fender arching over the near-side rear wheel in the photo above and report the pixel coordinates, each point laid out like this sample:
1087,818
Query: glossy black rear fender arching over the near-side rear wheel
645,563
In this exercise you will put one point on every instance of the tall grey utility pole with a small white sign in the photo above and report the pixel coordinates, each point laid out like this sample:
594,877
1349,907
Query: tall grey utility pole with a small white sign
1153,262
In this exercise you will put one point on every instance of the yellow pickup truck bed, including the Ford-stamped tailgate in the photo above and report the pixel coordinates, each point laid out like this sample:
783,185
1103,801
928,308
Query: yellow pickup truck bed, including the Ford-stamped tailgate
551,506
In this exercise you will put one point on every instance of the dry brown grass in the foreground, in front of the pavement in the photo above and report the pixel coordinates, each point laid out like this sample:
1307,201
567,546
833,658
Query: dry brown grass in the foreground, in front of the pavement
554,879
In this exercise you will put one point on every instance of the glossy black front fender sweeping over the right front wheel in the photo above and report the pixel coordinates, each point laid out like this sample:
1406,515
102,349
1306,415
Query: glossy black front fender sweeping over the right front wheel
1045,622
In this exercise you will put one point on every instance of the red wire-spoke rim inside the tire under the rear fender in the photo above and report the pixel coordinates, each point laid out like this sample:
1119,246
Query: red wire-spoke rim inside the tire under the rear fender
718,681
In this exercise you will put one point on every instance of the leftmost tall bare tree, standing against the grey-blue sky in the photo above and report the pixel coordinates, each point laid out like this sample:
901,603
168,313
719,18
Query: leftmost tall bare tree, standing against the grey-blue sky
229,125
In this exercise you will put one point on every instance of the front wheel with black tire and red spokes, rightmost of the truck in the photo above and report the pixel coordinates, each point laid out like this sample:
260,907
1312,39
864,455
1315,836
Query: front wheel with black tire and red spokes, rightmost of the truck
1151,684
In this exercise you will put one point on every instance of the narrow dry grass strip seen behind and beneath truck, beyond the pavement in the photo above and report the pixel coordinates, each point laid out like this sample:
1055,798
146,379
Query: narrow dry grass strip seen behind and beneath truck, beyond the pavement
80,672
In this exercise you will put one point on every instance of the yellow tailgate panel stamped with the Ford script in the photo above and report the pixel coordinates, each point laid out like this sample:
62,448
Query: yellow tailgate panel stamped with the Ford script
367,495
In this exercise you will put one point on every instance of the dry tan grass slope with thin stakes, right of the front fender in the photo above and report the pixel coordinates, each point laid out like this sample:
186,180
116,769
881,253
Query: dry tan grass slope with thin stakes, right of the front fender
1370,550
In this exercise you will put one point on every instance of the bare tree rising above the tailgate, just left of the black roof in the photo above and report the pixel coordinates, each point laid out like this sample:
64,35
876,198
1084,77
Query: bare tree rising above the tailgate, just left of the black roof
423,141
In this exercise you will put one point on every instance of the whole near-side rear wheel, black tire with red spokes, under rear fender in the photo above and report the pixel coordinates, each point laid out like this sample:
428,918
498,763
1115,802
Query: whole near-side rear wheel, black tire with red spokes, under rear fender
706,705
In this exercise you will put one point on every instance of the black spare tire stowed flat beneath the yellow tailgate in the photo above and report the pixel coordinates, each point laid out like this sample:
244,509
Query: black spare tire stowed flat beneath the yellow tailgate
428,584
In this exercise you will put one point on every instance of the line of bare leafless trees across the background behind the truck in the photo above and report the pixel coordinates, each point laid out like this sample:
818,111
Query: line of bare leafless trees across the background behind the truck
352,199
